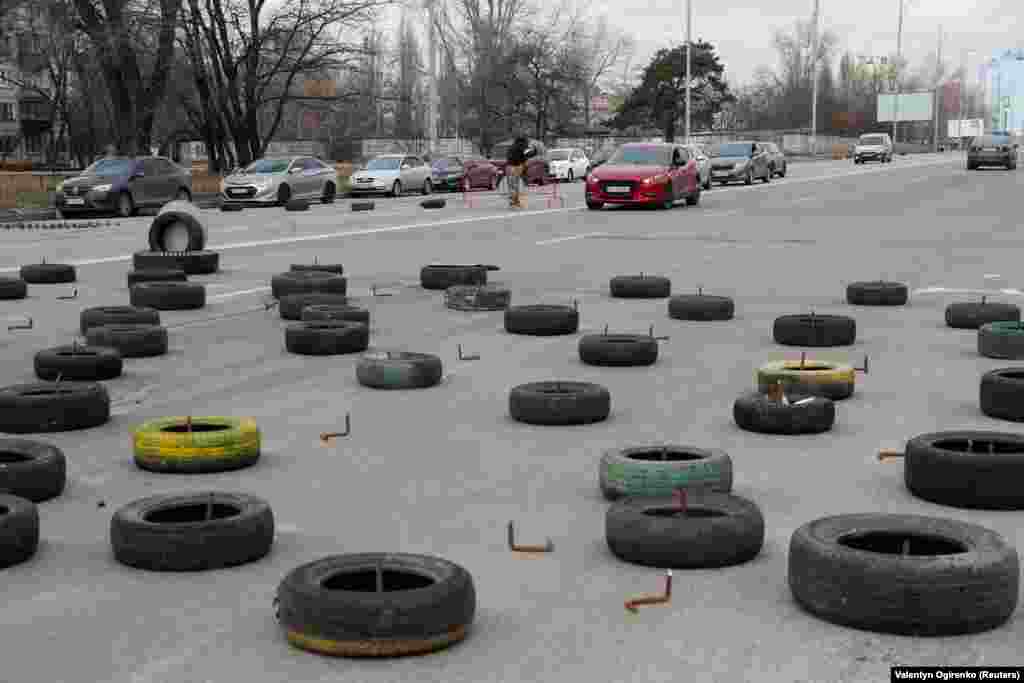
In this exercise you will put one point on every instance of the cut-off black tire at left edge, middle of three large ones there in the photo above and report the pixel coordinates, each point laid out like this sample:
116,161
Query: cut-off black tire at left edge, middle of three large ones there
33,471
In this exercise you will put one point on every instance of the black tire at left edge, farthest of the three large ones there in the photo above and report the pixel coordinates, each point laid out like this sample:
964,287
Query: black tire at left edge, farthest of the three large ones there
45,408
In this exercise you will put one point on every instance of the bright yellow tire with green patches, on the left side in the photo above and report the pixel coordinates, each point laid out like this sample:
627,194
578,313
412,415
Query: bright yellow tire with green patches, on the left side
216,445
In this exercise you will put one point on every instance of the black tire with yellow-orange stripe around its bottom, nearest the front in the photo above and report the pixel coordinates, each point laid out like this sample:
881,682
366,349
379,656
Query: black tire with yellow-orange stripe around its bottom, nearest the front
376,605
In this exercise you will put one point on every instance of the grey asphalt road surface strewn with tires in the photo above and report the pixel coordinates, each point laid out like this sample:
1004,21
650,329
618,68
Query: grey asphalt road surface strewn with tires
442,472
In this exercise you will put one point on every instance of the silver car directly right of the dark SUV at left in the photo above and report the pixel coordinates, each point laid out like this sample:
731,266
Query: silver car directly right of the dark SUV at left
276,181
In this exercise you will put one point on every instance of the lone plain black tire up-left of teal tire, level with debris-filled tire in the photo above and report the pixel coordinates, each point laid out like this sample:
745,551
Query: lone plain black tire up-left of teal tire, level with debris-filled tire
560,403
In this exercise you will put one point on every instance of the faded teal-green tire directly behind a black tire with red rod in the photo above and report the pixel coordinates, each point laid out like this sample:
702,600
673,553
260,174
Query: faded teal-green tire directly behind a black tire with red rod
656,471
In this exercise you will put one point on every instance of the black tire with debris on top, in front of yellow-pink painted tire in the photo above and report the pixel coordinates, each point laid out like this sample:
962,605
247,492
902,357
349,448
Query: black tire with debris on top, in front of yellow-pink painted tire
757,413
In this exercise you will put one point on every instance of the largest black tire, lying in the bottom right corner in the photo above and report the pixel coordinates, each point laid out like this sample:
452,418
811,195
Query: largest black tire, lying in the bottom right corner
905,575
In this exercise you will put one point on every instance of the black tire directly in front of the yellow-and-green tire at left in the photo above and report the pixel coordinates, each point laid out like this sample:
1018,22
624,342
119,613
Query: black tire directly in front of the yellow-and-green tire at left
175,534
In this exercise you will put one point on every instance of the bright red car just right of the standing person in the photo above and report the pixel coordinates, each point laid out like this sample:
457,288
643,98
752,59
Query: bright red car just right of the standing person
643,174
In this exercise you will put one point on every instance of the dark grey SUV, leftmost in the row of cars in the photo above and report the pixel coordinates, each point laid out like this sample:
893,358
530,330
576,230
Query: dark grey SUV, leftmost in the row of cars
123,186
